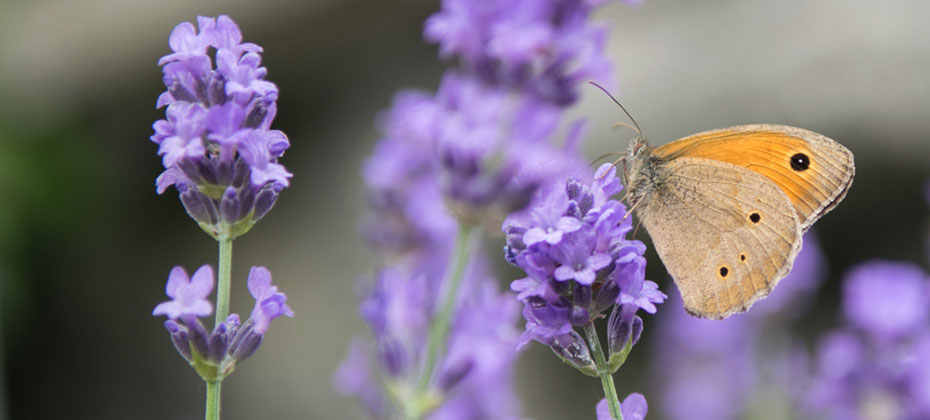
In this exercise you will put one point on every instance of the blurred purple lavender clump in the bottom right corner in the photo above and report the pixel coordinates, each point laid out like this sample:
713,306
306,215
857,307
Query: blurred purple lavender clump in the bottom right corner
877,366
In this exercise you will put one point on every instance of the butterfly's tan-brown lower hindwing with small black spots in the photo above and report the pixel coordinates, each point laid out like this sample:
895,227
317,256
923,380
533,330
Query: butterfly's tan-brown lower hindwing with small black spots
725,234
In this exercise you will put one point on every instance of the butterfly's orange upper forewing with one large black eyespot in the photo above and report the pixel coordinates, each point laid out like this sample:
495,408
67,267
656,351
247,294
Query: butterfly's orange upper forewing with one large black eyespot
812,170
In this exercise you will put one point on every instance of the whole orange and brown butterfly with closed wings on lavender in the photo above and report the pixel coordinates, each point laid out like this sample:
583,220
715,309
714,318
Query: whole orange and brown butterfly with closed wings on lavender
726,208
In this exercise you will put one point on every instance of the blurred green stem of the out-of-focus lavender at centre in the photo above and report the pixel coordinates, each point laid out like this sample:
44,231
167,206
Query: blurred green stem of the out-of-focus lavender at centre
440,329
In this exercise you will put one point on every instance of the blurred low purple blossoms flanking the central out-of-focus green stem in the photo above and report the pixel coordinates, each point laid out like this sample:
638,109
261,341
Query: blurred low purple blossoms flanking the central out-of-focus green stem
472,378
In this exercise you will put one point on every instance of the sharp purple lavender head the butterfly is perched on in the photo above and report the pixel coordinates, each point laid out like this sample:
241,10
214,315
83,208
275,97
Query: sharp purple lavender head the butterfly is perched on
591,268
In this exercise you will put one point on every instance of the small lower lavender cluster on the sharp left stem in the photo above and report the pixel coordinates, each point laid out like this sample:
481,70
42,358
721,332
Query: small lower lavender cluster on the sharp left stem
215,354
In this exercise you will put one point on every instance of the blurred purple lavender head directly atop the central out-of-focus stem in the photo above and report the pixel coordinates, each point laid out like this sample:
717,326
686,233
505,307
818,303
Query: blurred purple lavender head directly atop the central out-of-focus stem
495,148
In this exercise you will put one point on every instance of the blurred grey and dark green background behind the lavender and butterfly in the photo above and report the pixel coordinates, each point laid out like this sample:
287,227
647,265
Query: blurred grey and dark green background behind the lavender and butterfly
86,244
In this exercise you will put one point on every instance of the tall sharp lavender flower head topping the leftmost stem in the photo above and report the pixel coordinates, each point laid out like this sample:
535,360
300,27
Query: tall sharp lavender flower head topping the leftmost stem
216,143
